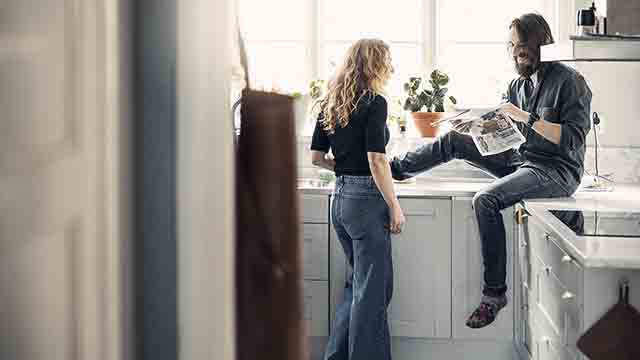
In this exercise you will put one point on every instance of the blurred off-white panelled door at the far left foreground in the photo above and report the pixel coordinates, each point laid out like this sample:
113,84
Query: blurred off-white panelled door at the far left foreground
55,296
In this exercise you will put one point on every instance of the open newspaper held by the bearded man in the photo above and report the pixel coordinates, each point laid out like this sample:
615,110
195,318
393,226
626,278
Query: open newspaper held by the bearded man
492,130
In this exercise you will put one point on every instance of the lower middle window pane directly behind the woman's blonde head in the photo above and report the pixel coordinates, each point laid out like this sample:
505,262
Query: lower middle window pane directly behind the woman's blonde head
407,61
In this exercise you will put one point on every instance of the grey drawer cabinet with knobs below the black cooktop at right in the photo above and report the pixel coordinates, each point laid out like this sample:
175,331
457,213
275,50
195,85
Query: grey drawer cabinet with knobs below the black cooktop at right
558,297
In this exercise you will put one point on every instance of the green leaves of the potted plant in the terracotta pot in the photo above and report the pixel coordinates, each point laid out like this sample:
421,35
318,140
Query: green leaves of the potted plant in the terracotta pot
431,99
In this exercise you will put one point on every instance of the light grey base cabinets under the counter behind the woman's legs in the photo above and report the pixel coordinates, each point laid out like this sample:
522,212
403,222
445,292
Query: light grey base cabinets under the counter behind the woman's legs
437,278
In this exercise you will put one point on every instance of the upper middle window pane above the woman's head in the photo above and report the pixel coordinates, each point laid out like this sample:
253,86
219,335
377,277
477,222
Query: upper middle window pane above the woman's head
350,20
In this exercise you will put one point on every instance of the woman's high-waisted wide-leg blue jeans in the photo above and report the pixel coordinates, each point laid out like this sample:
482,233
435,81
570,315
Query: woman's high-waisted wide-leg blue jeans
360,218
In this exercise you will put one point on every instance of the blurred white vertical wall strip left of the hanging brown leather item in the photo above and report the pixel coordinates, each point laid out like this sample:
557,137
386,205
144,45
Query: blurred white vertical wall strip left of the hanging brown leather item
205,181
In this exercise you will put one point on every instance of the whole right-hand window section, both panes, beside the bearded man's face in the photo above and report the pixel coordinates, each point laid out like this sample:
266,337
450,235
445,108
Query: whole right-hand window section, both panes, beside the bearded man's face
471,37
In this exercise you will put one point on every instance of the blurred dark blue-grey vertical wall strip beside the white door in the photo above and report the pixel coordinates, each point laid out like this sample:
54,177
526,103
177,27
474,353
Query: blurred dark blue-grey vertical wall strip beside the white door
155,176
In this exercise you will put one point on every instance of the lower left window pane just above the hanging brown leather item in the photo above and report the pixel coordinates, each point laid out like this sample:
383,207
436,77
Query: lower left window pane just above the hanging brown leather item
278,66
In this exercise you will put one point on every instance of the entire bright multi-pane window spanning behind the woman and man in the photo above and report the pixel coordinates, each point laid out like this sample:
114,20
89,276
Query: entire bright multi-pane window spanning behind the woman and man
291,42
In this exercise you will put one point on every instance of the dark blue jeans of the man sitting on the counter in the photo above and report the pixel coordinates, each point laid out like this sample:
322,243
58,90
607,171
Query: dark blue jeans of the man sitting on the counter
515,183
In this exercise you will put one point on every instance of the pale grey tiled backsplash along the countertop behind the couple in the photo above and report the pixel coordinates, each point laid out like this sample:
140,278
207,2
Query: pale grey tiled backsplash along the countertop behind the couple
623,163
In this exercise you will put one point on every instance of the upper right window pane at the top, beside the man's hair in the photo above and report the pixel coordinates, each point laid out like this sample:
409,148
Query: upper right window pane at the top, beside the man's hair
488,20
